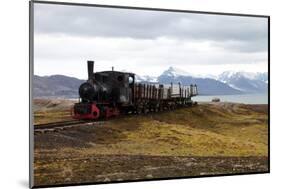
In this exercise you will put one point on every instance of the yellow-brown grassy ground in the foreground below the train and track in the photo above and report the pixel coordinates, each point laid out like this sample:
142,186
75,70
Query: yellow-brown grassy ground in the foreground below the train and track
223,131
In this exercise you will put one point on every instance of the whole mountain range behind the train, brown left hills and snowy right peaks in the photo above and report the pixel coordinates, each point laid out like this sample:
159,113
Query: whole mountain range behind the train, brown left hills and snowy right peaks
226,83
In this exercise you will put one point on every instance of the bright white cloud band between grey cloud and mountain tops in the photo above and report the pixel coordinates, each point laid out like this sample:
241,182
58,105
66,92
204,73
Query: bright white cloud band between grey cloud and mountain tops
56,54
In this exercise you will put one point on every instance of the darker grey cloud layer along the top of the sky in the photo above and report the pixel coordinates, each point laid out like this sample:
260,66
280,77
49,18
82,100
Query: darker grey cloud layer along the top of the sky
243,34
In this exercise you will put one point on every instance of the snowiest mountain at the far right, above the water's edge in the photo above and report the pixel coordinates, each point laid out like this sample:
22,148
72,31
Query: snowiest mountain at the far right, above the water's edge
246,82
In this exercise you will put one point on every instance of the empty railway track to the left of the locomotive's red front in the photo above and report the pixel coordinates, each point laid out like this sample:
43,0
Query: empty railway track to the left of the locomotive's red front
59,125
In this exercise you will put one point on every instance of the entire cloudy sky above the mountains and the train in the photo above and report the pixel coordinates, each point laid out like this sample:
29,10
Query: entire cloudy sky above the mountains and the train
145,42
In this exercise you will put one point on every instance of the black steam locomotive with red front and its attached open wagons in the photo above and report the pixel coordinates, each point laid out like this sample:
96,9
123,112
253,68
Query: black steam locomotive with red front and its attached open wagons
110,93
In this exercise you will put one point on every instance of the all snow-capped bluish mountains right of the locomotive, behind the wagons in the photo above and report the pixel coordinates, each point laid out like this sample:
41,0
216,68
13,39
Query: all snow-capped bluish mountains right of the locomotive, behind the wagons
228,82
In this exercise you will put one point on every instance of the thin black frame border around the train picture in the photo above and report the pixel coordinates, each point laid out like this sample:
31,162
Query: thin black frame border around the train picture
31,64
